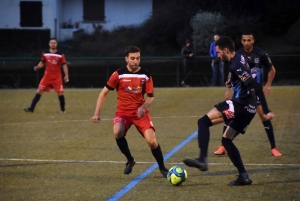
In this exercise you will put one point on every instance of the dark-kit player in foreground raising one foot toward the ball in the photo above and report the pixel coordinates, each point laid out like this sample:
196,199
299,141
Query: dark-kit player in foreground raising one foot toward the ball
237,113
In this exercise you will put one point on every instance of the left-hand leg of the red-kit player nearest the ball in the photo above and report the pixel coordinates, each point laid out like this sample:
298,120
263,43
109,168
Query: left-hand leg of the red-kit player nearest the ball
120,128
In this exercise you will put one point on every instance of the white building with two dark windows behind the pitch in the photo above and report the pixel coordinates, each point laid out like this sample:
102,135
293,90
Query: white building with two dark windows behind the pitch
64,17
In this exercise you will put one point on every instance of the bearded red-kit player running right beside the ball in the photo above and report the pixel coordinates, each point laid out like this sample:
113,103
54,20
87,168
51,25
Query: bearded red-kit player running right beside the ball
131,83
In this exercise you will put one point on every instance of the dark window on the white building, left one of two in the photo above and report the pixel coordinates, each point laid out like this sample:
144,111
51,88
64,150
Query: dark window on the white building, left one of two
31,14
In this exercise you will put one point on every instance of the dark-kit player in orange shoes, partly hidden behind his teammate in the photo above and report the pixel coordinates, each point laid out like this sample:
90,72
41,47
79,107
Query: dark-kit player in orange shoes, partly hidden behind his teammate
257,59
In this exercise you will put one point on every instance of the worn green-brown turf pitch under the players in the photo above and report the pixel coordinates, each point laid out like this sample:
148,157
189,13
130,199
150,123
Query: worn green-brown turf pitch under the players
46,155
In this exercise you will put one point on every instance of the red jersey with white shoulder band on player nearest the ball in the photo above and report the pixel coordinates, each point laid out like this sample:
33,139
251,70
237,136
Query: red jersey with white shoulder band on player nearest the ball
131,87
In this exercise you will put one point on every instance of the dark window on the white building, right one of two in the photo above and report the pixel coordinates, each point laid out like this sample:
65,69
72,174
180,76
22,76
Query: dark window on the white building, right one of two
93,11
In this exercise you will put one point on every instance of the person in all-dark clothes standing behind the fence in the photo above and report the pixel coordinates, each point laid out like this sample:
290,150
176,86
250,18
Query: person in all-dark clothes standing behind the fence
188,54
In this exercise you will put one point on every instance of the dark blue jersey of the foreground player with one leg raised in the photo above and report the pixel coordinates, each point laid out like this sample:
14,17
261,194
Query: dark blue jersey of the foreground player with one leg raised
240,77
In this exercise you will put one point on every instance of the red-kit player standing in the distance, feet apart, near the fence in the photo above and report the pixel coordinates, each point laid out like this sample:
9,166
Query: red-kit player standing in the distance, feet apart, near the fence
53,59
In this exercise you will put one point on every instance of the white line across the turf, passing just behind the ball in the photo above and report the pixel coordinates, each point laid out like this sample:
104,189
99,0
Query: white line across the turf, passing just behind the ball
142,162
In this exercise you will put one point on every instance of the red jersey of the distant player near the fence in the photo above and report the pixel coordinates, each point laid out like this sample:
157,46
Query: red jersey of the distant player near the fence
53,62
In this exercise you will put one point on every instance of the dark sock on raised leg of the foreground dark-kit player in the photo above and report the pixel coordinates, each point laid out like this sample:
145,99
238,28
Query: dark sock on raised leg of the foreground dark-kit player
203,136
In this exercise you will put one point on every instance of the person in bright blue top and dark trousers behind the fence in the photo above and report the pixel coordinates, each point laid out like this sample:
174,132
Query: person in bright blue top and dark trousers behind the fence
217,64
